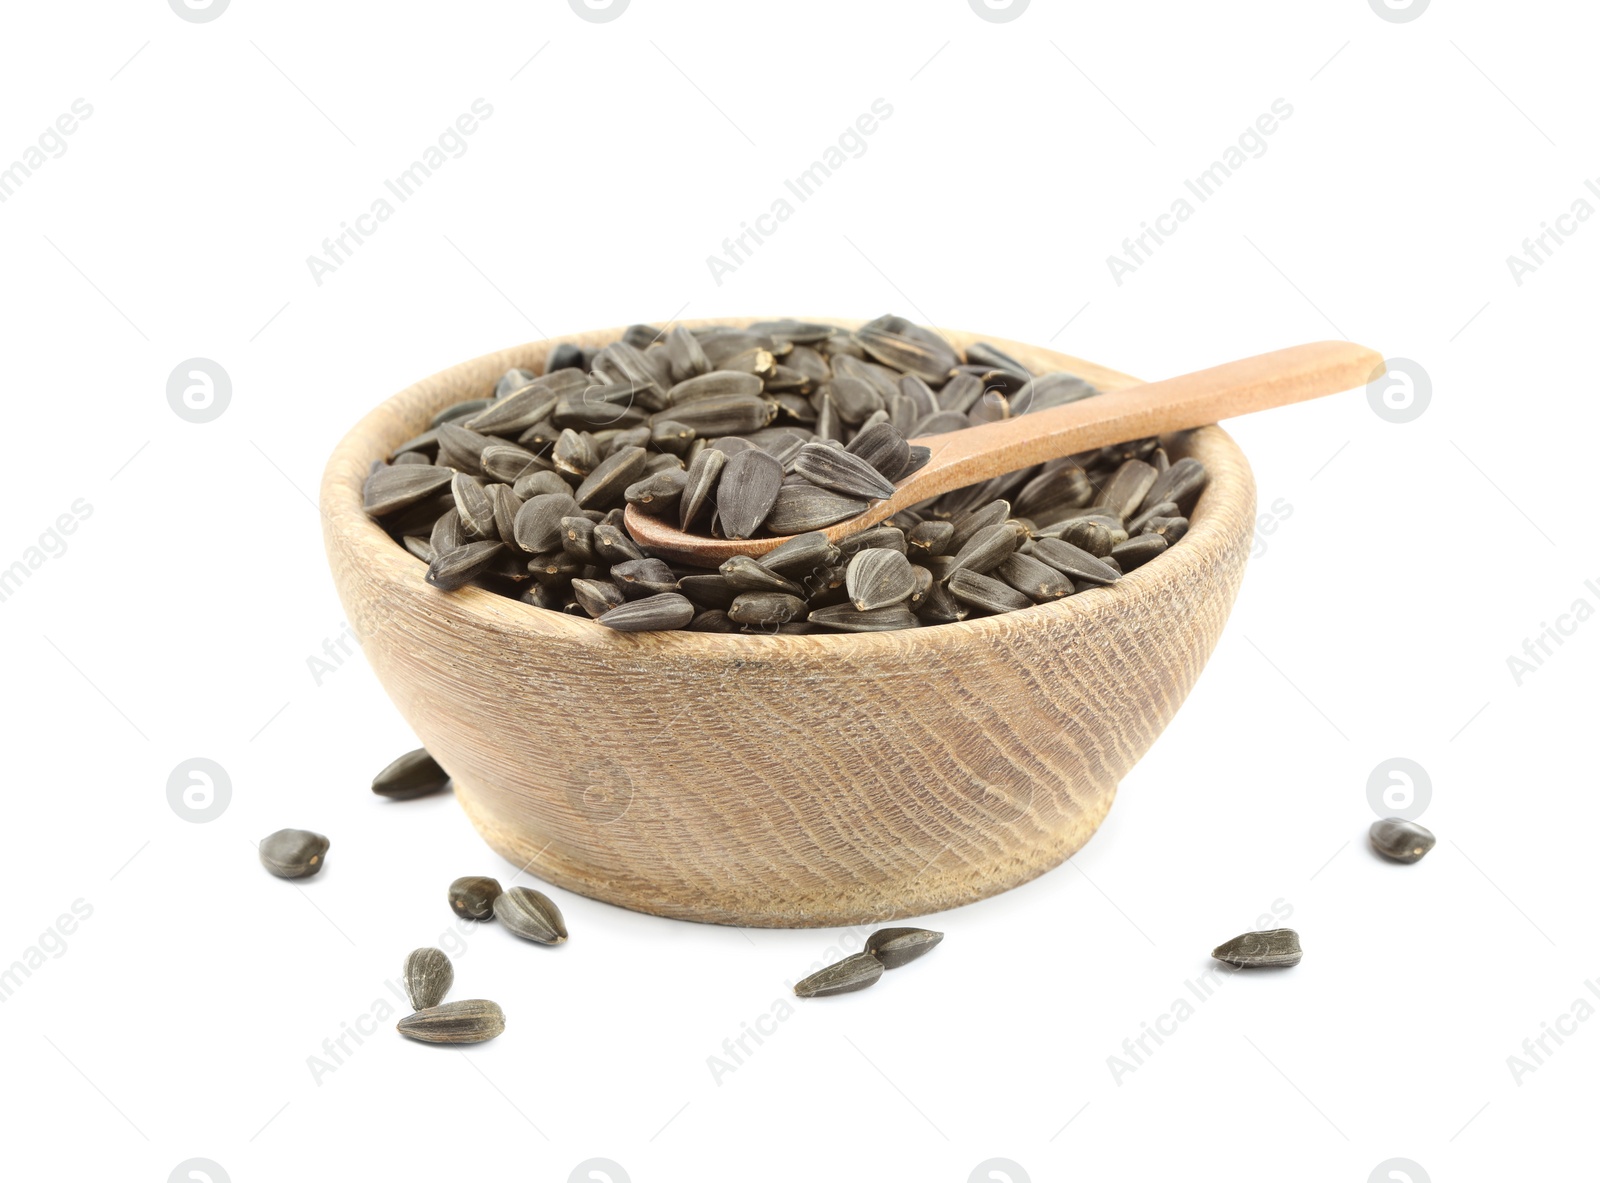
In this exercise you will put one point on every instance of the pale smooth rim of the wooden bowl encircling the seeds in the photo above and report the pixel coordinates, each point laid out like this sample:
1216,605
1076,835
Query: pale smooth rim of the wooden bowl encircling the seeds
350,531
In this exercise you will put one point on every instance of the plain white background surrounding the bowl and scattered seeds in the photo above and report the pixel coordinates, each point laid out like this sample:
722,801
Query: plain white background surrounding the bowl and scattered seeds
1378,620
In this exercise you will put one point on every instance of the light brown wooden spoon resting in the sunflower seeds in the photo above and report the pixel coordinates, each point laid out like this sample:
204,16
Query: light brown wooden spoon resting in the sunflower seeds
994,449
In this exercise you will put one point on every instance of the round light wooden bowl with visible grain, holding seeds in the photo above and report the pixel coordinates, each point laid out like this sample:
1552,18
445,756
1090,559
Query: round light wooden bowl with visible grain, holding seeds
785,782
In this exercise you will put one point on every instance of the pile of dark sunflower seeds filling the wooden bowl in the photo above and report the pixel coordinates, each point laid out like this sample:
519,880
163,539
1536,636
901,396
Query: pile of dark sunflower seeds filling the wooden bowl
782,428
